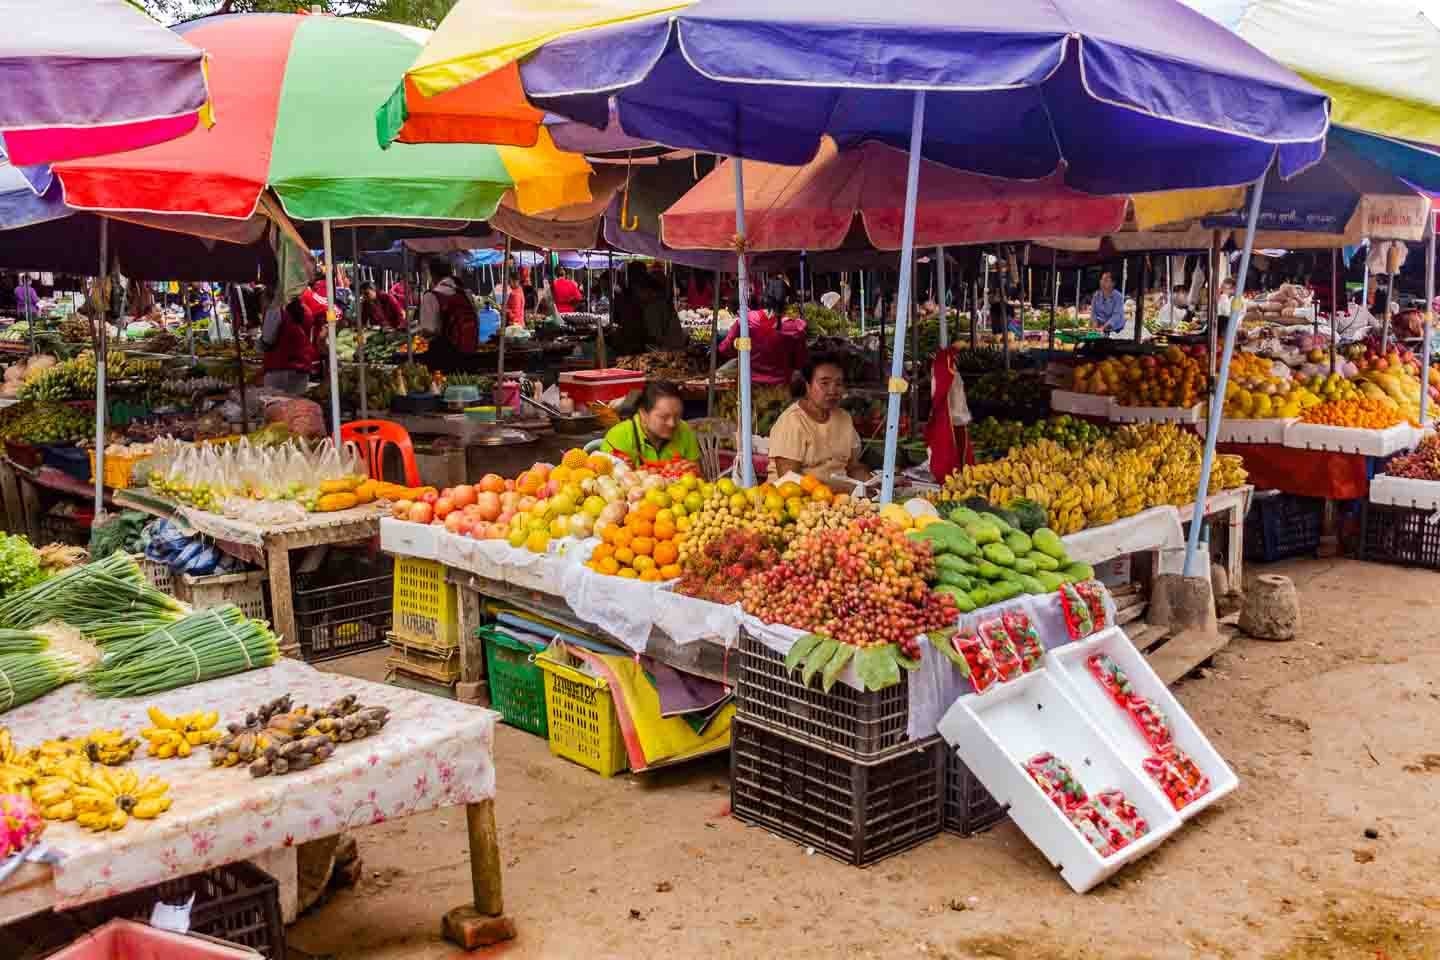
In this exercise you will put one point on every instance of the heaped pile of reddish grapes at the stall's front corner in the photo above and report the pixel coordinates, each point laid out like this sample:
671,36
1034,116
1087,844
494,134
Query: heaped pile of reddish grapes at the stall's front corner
863,584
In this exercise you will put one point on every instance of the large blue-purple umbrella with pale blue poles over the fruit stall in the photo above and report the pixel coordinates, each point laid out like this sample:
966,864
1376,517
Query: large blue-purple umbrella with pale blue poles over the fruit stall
1125,96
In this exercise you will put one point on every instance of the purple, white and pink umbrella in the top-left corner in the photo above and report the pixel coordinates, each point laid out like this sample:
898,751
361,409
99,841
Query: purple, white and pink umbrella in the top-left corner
91,77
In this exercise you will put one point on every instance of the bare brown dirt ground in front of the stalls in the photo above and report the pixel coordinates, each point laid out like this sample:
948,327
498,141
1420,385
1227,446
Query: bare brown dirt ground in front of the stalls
1334,736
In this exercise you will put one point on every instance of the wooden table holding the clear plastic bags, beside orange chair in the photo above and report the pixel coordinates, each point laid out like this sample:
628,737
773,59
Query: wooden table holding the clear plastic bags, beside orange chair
266,546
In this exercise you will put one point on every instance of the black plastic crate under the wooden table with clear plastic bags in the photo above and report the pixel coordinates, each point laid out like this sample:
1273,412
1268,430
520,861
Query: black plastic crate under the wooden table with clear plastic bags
338,620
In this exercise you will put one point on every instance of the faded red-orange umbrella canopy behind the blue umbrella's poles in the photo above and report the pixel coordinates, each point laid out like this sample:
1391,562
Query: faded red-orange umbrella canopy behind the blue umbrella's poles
813,208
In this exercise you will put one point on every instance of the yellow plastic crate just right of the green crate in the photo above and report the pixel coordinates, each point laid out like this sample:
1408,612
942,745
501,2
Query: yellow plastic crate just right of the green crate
581,717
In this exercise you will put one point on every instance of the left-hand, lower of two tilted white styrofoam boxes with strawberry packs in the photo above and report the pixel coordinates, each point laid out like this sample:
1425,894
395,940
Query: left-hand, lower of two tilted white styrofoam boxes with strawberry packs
997,732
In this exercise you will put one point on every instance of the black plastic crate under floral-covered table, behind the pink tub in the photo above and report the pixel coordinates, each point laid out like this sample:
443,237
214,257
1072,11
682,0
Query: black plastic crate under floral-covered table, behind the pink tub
238,903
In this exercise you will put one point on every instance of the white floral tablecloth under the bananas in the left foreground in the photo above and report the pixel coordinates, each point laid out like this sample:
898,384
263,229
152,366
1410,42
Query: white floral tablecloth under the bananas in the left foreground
433,753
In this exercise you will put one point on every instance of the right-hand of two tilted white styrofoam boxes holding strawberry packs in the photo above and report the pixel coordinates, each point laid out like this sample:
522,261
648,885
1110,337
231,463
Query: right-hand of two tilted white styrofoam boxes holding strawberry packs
1069,663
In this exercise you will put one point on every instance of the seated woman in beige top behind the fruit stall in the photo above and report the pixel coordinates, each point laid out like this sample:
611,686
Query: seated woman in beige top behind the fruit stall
816,435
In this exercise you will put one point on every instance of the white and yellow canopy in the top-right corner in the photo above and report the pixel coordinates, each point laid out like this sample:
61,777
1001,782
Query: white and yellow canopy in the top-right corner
1379,60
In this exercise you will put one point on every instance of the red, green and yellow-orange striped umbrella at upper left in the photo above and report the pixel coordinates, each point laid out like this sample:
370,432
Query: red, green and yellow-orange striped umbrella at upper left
297,97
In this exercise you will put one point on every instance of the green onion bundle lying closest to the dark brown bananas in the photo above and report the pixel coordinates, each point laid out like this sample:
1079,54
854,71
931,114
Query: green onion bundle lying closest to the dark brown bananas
204,646
